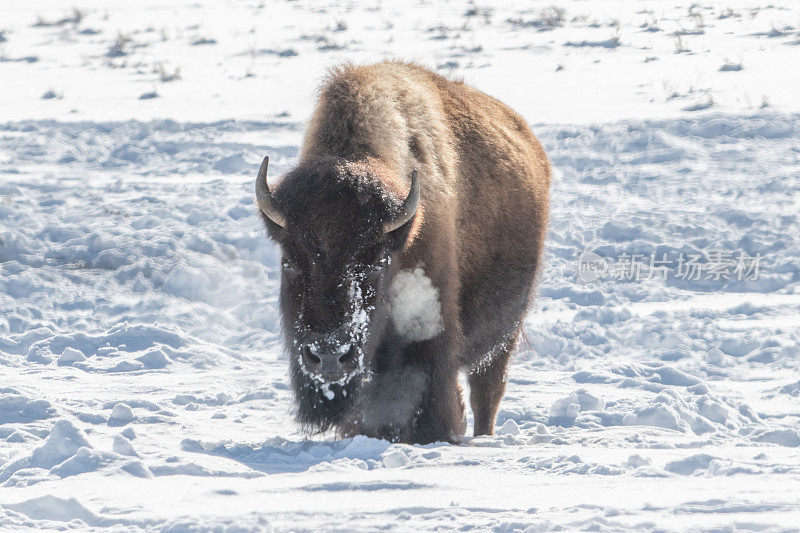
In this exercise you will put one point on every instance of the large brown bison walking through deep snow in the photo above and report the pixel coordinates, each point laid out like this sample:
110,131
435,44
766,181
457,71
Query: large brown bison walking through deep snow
411,232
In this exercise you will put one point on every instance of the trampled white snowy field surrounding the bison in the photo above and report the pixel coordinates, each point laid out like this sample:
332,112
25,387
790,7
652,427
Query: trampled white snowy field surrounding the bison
142,380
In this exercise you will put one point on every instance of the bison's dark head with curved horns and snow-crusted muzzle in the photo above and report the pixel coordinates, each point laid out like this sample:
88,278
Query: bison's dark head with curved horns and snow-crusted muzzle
338,230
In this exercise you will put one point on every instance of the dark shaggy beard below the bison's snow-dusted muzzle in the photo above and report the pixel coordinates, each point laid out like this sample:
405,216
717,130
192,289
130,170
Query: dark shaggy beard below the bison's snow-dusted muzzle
322,406
